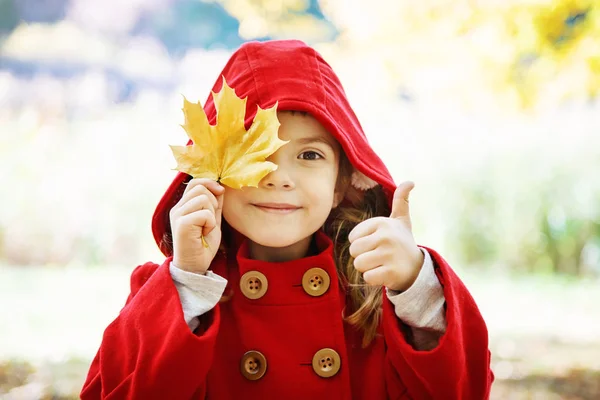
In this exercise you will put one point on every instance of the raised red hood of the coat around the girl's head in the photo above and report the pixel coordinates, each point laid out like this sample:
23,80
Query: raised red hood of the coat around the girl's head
296,76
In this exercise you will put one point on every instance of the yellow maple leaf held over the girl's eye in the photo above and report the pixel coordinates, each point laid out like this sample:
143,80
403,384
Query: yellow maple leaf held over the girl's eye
226,152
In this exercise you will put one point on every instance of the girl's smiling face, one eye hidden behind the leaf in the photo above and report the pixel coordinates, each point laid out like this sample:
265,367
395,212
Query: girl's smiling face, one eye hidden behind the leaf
293,202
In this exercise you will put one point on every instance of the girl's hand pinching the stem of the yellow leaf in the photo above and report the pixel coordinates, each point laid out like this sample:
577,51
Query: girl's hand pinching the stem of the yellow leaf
198,213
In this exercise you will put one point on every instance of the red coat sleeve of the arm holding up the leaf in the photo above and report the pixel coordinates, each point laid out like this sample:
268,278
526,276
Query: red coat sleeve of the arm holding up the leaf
149,351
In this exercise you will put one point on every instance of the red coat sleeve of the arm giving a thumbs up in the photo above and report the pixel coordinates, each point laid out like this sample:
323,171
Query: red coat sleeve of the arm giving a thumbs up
458,367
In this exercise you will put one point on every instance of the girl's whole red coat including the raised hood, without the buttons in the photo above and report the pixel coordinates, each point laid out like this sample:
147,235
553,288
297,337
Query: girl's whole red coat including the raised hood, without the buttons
149,352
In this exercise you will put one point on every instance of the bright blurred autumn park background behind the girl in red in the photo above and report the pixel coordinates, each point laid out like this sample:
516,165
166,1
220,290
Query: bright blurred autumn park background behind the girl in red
491,106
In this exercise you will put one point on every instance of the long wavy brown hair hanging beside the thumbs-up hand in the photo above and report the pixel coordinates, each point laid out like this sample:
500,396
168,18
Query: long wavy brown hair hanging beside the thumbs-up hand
365,301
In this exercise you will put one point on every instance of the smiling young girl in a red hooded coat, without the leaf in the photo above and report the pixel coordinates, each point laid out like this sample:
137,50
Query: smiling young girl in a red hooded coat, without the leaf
311,285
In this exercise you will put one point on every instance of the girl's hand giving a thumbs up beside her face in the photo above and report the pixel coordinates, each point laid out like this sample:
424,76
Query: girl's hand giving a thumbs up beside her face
384,249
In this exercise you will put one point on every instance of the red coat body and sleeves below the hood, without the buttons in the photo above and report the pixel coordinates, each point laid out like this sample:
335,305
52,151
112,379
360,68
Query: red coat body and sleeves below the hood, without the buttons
149,352
